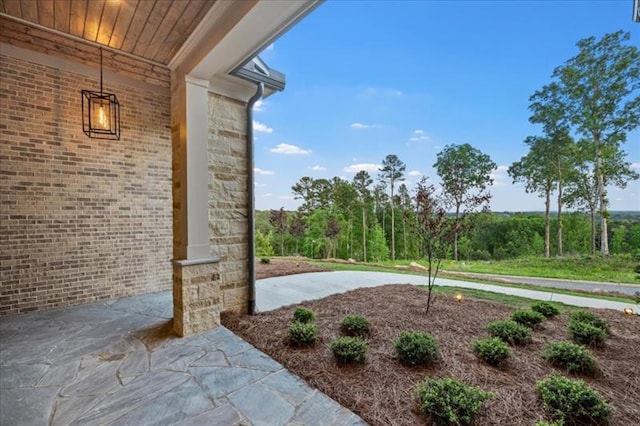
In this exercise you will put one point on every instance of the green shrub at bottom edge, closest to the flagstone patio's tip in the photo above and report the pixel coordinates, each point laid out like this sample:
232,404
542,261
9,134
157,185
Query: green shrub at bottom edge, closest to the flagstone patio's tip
450,402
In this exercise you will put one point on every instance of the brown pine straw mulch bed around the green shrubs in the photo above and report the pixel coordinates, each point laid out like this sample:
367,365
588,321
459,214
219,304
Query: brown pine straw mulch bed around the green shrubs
380,391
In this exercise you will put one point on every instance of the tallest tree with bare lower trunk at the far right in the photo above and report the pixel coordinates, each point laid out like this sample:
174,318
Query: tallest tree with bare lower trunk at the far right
600,88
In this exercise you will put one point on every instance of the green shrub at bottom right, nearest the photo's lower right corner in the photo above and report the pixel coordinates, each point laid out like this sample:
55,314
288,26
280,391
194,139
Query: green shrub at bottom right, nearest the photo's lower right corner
572,401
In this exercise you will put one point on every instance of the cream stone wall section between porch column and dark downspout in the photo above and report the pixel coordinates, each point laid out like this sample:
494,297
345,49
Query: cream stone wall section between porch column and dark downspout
228,198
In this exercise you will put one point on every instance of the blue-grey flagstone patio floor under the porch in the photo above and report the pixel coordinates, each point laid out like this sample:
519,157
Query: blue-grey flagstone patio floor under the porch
118,363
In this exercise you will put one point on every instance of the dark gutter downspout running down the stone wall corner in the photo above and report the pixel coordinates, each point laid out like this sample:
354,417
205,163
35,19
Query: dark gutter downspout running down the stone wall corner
251,216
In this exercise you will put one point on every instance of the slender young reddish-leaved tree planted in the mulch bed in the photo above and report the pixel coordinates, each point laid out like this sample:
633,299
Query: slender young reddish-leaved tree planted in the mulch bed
433,228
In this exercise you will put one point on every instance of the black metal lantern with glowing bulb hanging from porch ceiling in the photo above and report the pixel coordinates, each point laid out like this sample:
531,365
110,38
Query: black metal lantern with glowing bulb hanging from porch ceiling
100,113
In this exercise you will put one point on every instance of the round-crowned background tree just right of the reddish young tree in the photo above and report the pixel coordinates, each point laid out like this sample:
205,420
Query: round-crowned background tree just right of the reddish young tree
466,173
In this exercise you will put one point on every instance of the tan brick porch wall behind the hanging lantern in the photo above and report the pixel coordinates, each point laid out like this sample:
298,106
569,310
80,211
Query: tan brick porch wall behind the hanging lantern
81,219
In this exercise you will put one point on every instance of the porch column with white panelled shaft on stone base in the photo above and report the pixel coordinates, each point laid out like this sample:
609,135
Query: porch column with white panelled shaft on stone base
197,299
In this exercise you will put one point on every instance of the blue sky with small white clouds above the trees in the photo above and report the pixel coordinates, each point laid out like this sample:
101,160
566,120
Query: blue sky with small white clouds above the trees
371,78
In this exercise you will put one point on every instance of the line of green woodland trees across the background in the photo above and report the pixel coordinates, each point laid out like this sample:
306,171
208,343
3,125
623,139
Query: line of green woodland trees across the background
585,114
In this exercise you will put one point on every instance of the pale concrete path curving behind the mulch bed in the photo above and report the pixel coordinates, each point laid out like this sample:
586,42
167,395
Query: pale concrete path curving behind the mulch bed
272,293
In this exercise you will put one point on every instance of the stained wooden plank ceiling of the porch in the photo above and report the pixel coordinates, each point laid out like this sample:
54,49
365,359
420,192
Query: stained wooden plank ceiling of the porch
150,29
